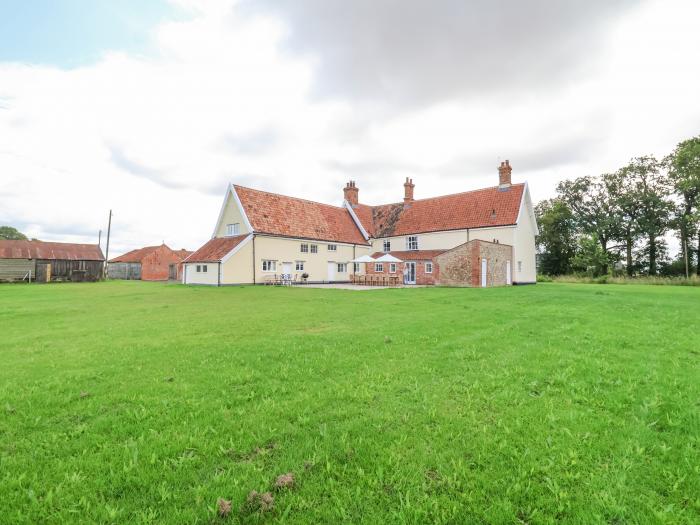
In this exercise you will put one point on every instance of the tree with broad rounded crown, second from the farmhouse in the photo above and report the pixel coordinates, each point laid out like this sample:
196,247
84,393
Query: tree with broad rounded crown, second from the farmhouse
594,210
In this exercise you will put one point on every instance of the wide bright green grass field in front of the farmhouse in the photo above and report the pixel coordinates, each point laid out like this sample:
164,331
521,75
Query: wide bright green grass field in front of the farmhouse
129,402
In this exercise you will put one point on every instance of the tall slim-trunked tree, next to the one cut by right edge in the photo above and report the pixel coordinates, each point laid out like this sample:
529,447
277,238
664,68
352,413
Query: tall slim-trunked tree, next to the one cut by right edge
652,190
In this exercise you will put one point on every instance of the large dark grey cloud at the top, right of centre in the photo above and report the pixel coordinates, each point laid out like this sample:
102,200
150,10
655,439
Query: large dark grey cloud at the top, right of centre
418,51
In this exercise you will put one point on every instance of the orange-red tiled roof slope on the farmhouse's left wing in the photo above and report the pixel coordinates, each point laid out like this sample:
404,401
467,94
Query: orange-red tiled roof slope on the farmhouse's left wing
291,217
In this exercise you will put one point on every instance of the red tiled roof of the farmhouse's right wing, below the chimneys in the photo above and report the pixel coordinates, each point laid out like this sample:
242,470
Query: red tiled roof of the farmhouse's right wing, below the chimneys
483,208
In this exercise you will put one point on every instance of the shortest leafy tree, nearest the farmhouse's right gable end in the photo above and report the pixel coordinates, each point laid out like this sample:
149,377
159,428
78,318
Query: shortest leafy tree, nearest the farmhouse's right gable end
556,241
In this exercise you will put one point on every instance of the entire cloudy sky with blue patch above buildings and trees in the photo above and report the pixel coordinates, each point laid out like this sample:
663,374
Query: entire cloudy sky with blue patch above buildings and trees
151,108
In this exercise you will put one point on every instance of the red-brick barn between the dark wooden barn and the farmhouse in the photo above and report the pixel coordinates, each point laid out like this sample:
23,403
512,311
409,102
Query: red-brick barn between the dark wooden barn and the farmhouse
151,263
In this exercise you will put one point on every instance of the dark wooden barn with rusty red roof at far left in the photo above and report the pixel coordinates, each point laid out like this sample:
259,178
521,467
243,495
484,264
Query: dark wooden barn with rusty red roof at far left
50,261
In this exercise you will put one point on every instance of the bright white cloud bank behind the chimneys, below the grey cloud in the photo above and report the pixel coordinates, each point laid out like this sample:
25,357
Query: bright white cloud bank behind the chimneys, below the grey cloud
157,138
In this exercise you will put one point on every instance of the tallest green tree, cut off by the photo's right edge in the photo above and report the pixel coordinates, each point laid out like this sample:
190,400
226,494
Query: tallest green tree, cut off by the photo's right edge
684,171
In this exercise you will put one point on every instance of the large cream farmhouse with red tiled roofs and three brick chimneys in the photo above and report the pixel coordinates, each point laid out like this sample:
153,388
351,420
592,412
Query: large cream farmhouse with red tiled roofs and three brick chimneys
482,237
